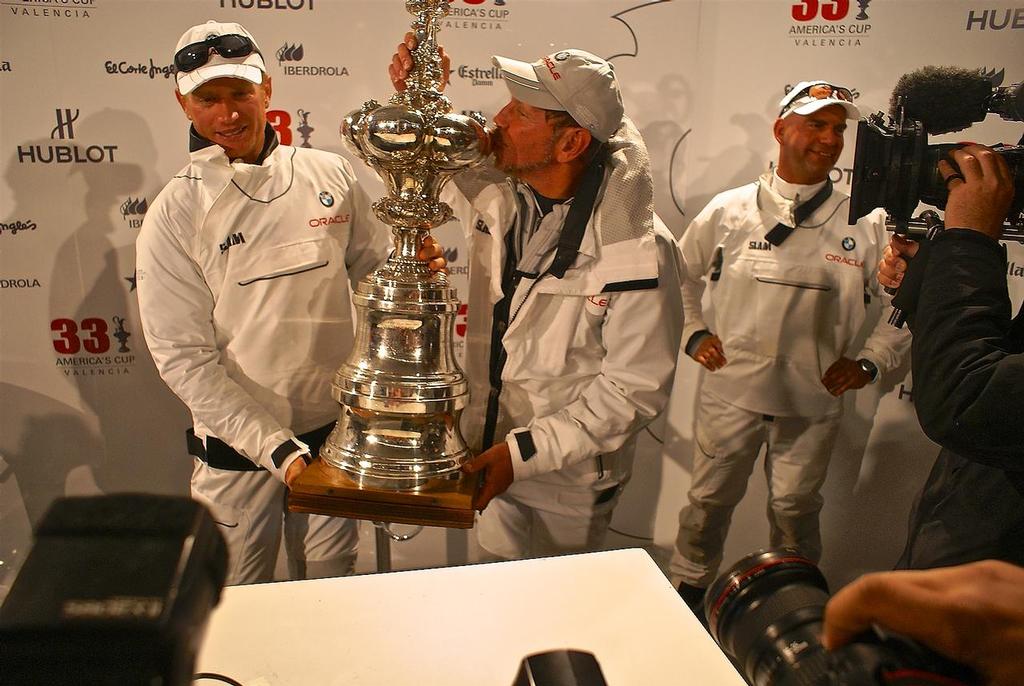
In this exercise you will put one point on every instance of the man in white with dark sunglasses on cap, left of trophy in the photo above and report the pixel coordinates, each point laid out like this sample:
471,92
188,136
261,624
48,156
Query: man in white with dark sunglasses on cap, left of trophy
244,263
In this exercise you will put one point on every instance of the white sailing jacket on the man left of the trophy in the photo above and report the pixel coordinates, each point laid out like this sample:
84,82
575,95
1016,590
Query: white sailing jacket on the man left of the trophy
242,274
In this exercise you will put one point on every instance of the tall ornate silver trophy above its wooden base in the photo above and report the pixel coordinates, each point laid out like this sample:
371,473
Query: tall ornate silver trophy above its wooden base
402,392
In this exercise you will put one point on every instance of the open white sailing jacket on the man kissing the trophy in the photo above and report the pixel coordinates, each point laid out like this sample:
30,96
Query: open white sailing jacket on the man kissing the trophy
590,357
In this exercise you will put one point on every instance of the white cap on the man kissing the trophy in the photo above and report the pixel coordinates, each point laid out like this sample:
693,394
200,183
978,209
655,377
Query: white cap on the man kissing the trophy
573,81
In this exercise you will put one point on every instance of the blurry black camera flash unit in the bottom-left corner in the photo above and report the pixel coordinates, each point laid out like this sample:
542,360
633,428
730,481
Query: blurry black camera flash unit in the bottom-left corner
116,590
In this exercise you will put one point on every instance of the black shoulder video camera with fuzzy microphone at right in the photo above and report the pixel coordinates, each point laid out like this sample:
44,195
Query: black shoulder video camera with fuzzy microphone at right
895,168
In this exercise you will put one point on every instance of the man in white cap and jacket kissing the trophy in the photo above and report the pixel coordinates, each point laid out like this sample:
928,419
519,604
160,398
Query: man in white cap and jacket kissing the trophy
574,305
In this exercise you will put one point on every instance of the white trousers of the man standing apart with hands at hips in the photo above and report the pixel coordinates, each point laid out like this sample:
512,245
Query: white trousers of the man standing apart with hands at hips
728,441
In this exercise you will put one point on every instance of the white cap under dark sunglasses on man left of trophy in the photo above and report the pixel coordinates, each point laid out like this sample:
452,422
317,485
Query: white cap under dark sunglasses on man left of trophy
248,65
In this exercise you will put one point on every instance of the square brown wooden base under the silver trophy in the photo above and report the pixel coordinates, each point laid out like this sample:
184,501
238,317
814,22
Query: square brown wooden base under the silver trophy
323,489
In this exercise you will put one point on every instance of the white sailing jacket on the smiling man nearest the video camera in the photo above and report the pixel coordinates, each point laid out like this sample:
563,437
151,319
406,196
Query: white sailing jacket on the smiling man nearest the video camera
785,314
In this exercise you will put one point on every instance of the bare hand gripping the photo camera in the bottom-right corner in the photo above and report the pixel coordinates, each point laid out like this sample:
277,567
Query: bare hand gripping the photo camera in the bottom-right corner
973,614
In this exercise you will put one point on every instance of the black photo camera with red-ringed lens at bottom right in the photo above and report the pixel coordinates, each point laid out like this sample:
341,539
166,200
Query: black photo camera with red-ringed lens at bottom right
766,614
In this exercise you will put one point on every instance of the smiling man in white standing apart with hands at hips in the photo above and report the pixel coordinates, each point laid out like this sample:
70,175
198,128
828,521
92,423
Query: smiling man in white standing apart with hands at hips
790,283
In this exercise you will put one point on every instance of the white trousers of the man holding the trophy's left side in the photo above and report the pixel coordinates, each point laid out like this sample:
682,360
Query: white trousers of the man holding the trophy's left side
250,509
